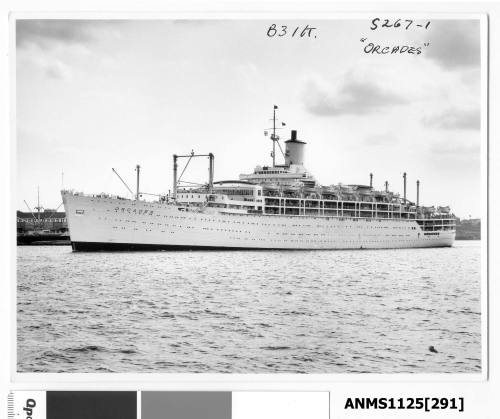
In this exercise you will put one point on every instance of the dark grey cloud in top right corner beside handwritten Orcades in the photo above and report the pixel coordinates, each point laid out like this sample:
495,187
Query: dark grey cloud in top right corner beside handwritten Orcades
455,44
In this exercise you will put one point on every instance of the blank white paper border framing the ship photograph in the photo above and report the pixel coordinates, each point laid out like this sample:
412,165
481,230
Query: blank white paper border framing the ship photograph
150,381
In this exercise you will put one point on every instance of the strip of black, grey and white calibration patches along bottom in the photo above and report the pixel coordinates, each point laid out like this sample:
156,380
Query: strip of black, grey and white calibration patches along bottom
168,405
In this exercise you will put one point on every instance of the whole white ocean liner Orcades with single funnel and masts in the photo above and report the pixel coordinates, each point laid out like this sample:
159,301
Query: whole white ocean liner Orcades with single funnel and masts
279,206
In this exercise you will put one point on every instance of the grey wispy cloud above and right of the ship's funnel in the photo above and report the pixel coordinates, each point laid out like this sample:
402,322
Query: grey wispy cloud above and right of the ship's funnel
351,95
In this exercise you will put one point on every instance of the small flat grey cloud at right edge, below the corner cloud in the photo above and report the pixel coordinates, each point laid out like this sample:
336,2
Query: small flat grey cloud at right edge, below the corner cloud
453,118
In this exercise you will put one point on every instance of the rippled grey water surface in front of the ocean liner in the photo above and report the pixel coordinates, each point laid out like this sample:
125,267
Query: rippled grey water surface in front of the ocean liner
372,311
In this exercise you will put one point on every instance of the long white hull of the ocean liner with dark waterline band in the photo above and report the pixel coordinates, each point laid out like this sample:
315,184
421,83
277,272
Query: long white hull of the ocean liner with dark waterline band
111,224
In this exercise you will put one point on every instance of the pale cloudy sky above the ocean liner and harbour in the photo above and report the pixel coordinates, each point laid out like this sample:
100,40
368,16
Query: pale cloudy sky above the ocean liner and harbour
92,95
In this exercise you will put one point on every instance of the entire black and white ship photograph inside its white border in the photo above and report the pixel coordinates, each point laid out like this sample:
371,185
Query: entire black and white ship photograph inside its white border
250,196
